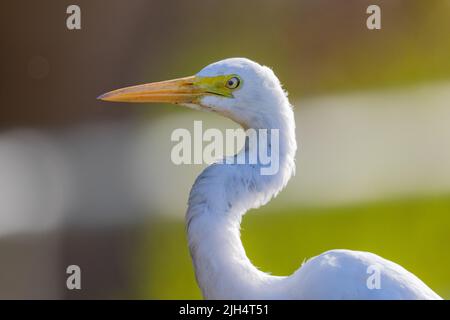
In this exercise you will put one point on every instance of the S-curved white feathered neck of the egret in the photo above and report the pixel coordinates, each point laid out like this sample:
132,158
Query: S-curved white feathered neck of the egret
220,196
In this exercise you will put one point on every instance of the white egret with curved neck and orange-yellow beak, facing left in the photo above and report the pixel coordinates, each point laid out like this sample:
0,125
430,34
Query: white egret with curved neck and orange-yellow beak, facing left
251,95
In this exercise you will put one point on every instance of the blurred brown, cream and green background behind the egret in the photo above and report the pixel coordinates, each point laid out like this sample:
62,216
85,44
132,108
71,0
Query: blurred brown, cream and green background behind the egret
91,183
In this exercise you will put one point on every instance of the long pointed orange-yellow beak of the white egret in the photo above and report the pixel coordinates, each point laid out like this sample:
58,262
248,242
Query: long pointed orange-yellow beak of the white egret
183,90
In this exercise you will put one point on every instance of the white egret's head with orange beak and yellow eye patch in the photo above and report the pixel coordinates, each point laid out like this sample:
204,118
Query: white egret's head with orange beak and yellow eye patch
237,88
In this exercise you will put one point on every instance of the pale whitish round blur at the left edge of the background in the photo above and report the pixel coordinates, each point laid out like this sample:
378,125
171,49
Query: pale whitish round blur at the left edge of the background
33,182
